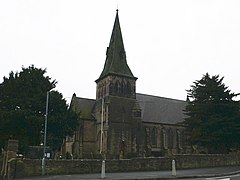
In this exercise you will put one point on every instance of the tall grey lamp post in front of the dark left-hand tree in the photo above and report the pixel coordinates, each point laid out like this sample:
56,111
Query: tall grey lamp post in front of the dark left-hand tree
45,137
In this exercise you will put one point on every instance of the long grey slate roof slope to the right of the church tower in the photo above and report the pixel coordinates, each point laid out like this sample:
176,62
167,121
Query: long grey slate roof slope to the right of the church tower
161,110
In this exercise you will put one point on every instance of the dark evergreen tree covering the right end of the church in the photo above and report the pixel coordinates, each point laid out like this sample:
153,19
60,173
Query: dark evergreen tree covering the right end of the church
213,119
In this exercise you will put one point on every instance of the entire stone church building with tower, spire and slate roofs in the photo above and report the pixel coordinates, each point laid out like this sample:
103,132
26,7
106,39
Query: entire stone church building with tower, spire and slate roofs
121,123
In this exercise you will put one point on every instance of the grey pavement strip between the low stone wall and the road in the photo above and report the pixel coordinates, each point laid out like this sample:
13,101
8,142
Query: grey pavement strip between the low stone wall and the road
153,175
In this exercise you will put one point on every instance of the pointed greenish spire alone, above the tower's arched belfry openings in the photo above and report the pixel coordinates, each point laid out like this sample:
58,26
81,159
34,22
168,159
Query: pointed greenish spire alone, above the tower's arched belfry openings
116,62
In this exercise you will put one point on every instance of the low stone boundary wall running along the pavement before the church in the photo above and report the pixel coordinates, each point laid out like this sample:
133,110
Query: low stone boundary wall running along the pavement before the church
27,167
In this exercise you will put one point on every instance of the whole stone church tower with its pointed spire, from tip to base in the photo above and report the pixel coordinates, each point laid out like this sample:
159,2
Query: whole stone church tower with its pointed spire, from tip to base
117,117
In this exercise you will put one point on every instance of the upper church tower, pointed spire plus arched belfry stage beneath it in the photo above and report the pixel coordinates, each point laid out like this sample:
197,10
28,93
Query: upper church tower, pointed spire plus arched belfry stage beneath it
116,78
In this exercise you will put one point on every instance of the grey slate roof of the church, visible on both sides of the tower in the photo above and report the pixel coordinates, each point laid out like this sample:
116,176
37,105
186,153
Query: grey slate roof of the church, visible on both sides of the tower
154,109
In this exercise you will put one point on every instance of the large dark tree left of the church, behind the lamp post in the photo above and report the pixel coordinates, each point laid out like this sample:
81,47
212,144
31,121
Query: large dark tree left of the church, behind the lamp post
23,106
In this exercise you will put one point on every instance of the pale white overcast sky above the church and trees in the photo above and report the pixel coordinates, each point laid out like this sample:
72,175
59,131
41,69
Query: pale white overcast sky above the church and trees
169,43
